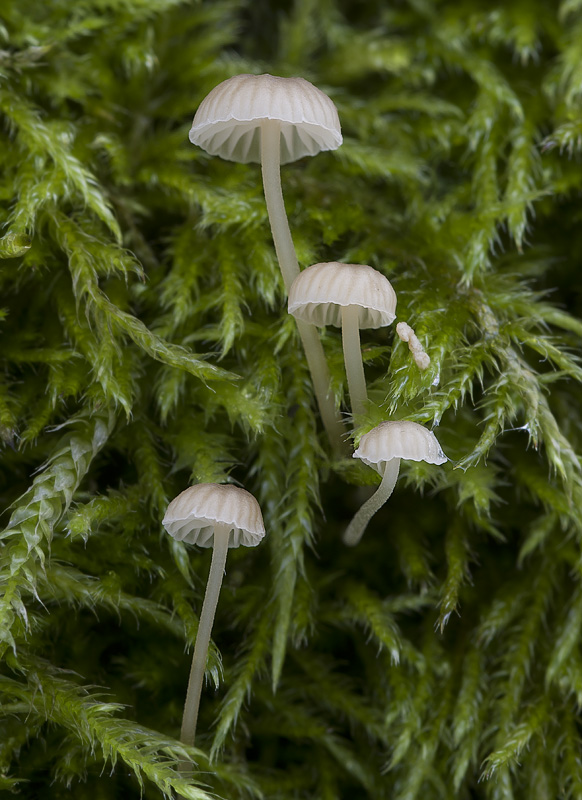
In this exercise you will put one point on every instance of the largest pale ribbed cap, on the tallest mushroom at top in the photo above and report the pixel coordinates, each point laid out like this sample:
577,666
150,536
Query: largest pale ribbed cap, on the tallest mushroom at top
228,121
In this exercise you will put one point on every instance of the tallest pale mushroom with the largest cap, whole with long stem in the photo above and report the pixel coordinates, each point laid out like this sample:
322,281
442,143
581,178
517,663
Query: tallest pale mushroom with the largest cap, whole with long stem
272,121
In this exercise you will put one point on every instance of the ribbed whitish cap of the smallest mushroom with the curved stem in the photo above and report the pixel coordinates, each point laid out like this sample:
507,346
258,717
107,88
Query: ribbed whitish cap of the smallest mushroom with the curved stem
401,439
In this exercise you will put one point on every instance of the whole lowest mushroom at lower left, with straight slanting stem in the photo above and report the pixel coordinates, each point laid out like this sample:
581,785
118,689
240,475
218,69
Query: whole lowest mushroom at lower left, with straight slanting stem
217,516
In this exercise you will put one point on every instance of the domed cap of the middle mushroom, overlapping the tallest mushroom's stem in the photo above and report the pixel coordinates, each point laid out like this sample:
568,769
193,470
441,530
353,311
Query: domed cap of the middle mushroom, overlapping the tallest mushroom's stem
319,292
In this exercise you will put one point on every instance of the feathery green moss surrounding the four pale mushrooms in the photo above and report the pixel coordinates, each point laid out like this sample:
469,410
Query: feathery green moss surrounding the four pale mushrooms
146,345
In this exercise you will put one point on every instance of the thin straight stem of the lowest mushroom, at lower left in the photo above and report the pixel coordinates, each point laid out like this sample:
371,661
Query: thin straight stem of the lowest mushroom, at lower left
219,552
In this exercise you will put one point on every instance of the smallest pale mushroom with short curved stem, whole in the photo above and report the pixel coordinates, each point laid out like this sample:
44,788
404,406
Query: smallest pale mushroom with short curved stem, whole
383,448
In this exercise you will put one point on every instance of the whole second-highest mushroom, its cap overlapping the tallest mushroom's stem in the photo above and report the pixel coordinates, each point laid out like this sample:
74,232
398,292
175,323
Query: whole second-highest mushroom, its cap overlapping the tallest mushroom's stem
350,296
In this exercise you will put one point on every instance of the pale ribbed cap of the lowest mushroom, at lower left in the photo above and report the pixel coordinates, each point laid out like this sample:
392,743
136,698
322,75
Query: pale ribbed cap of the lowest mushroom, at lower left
193,514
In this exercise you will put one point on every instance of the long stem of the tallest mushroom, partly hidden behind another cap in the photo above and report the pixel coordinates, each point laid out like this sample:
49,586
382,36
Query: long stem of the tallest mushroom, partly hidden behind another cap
285,250
